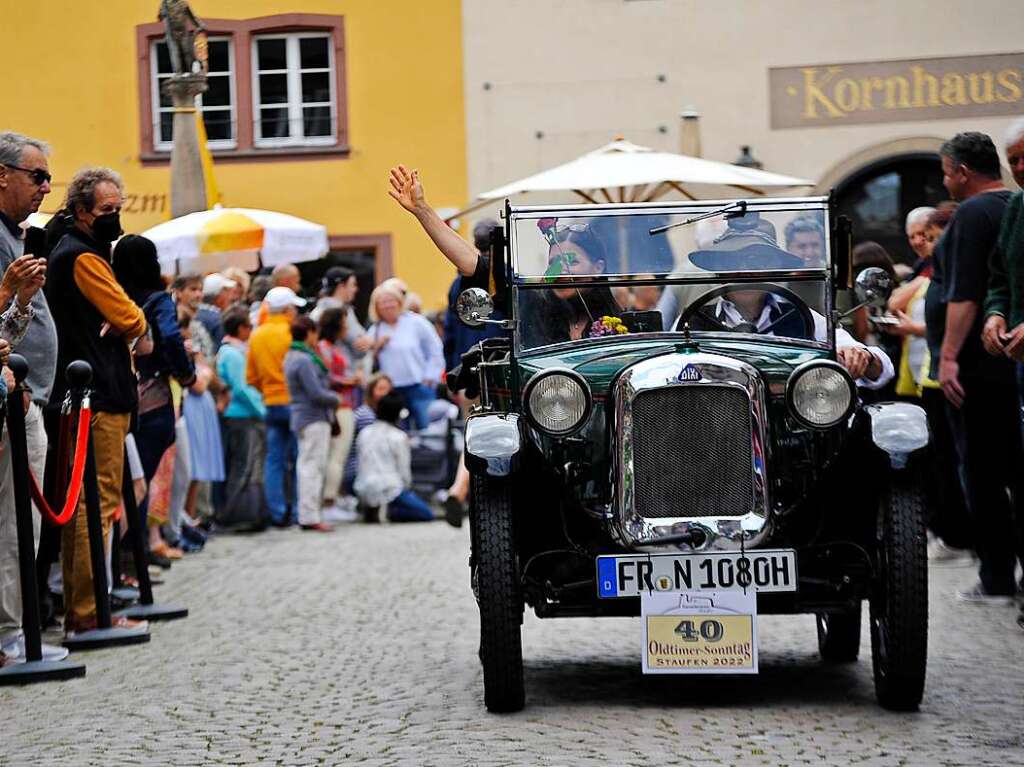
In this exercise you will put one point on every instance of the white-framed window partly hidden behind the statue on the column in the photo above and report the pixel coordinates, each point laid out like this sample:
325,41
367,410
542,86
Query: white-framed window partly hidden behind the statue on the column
218,105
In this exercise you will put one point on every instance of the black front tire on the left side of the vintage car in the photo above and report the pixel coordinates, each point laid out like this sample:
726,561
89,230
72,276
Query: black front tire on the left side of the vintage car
499,594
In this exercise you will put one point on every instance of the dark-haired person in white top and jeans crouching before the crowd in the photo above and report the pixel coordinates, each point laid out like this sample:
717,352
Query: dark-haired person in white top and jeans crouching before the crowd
386,466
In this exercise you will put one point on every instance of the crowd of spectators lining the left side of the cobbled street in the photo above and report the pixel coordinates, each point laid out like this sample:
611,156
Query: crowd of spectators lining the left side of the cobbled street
235,403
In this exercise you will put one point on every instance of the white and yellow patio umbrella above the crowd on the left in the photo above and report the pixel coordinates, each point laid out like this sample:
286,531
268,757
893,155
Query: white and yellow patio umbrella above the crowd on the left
214,240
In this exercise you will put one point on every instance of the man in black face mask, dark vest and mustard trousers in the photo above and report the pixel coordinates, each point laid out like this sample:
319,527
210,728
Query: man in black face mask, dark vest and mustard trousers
97,322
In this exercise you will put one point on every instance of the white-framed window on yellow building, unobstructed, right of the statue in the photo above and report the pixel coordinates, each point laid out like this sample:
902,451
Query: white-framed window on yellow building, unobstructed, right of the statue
293,91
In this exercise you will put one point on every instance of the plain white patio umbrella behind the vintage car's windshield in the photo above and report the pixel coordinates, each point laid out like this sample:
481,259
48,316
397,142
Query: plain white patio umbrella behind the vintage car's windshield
626,173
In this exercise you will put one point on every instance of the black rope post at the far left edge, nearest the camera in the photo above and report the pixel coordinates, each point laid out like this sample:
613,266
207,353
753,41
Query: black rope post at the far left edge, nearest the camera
34,669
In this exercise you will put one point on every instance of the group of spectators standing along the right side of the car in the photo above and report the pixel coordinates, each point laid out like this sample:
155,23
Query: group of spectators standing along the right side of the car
957,326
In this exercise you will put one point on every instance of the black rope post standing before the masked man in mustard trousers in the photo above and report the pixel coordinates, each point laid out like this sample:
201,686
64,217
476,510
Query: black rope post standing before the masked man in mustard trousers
105,635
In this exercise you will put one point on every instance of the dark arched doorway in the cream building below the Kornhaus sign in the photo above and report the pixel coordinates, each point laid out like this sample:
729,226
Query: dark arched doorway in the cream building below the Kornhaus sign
878,197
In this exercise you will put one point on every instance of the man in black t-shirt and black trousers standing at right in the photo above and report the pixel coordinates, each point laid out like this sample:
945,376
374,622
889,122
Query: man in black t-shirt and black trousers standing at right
980,390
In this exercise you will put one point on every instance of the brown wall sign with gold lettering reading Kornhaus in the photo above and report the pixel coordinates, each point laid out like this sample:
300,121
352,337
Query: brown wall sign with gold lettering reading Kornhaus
897,92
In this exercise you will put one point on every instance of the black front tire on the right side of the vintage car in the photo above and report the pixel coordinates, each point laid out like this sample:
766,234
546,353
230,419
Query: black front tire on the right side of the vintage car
900,603
